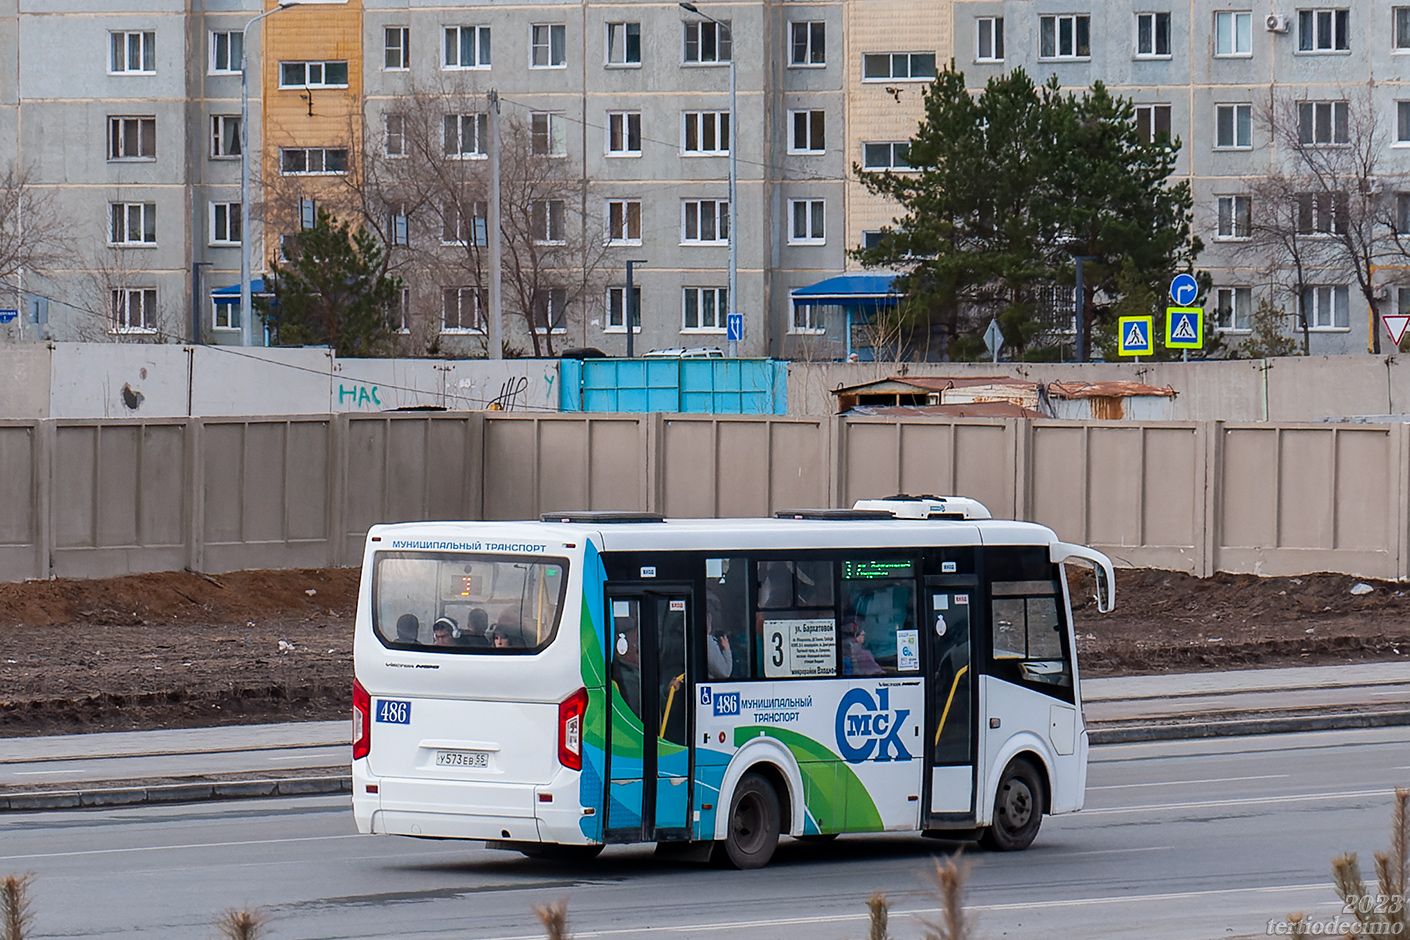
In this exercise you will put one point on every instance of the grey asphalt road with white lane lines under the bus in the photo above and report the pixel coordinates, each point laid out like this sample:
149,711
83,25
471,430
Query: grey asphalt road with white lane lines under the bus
1205,839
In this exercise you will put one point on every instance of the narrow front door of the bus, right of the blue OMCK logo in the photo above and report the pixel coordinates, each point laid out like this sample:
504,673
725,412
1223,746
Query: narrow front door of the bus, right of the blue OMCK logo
950,746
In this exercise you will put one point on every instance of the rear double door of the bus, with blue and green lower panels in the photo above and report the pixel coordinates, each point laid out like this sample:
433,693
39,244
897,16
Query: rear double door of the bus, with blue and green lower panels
648,755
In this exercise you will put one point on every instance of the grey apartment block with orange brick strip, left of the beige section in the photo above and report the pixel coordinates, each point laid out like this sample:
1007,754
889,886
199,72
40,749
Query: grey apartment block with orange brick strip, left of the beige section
130,120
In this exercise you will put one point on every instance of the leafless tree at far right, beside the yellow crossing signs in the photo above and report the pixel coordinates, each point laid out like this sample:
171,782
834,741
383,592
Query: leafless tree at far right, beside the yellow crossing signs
1335,188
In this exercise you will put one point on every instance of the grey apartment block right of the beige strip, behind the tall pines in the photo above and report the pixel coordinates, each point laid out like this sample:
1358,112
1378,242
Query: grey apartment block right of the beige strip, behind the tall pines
1206,73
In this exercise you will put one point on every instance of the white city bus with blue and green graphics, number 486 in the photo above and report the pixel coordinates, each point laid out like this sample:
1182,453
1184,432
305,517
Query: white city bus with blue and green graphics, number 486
711,684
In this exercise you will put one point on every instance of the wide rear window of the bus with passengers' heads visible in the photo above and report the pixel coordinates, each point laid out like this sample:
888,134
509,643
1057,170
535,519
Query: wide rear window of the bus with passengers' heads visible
498,605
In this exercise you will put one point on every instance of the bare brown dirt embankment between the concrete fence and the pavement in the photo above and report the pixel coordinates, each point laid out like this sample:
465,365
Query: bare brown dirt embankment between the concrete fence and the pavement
184,650
